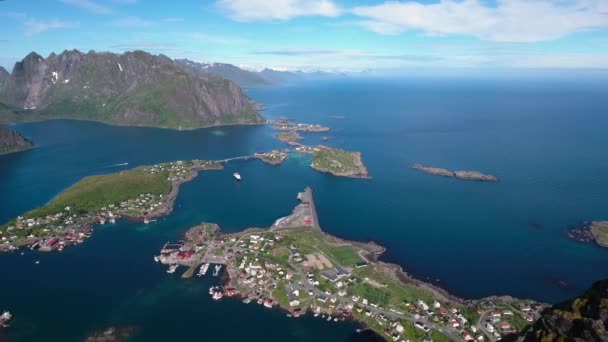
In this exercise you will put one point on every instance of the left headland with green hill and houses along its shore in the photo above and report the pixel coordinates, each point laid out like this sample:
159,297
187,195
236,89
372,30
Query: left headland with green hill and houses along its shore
69,219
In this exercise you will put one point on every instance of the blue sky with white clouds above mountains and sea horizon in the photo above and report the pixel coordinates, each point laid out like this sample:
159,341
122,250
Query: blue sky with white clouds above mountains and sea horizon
319,34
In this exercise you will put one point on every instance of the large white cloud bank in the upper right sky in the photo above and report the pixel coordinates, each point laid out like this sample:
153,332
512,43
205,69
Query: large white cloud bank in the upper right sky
508,21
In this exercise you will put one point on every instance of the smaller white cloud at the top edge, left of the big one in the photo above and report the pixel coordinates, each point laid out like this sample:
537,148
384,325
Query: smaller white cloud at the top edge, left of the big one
260,10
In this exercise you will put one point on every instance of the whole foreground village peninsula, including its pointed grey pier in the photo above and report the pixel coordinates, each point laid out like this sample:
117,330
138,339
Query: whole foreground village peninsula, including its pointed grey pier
296,267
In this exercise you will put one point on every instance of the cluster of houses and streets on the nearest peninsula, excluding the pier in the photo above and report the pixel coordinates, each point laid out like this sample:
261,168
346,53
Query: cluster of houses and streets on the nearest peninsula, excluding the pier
289,279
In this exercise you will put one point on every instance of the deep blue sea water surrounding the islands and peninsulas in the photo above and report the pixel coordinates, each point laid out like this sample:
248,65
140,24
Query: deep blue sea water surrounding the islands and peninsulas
545,140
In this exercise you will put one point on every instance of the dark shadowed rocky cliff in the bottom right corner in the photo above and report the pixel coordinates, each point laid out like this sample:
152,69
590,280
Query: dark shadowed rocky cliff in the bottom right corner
584,318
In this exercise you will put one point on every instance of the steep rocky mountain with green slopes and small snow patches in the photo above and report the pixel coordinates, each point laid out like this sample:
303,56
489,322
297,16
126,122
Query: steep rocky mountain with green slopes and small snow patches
134,88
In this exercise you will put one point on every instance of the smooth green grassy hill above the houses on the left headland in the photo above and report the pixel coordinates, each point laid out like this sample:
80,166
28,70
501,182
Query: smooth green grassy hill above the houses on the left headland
94,192
